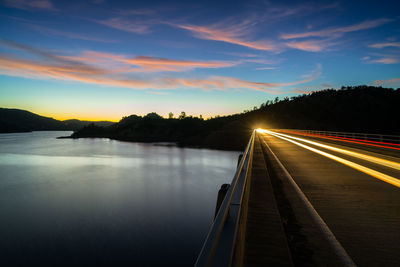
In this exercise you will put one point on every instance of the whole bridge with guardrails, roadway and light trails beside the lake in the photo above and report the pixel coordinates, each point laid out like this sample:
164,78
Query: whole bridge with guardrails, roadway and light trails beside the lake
309,198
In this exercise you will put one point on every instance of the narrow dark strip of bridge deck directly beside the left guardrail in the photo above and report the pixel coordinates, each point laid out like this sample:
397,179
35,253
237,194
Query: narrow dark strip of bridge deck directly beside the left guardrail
265,242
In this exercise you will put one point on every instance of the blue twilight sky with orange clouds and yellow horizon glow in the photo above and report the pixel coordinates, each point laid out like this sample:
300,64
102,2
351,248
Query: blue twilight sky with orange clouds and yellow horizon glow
103,59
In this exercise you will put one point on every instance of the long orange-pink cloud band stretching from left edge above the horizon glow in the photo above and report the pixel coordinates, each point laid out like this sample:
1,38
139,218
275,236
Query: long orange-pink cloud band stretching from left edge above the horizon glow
31,69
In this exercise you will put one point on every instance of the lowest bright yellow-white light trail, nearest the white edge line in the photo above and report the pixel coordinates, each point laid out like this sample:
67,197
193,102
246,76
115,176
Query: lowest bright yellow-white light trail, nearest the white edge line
381,176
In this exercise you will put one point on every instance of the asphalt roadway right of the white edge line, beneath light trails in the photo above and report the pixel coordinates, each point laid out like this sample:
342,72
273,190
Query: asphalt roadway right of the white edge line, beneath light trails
362,210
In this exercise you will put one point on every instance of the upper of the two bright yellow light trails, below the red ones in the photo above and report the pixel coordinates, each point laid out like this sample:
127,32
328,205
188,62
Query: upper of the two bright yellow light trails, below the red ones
376,160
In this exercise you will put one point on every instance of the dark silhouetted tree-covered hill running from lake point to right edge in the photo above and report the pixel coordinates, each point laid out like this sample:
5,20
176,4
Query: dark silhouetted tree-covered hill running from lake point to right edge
356,109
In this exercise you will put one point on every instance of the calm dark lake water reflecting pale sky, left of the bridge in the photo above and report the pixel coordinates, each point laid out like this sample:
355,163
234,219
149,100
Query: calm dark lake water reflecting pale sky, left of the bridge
98,201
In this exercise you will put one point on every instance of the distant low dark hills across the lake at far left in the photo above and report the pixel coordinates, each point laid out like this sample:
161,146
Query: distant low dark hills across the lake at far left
17,120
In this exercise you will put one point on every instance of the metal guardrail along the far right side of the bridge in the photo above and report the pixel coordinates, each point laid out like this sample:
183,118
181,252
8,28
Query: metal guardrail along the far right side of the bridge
363,136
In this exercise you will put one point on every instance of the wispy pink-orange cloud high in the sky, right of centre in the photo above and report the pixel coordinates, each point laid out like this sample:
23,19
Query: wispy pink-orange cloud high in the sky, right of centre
230,33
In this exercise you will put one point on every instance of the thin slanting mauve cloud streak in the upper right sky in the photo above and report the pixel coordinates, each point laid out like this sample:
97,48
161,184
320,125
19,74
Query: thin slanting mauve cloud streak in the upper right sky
337,31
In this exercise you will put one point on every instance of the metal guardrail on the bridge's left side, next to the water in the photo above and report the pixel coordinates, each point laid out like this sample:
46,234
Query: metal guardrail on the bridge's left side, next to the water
218,248
